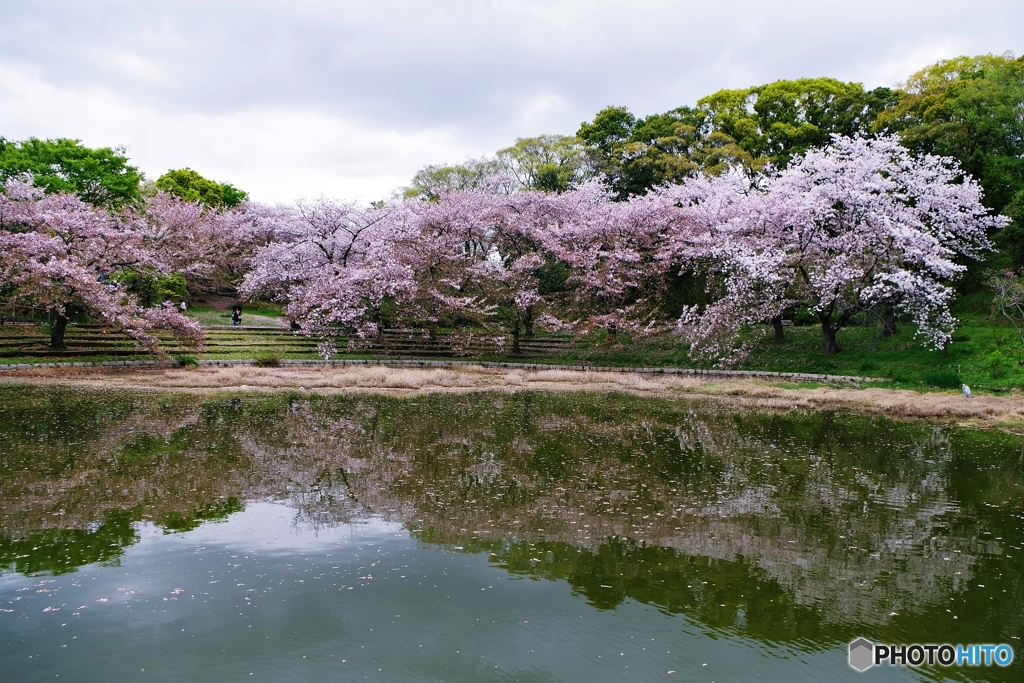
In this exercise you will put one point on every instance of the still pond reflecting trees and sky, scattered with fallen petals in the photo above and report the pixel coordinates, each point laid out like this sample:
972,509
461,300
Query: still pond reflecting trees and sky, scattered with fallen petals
493,537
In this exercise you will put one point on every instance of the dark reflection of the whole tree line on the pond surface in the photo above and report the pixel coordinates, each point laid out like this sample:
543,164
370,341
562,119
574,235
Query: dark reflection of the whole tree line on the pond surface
838,520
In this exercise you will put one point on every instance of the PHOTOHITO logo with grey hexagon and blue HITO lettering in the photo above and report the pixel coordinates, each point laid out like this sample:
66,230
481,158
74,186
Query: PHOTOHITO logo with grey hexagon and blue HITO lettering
865,655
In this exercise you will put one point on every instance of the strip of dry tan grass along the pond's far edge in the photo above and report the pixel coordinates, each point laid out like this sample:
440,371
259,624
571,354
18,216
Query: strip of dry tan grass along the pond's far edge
762,394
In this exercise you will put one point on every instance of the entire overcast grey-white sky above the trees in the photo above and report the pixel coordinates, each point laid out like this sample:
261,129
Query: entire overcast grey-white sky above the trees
350,99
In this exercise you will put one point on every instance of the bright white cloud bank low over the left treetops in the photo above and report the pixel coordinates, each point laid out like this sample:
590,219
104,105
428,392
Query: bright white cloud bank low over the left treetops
276,154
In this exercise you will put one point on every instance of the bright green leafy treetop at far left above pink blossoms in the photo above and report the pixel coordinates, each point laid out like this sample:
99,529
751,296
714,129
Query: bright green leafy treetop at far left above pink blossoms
101,177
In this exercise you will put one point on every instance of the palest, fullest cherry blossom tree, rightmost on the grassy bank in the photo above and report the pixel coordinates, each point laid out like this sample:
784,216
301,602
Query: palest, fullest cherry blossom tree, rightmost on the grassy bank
844,230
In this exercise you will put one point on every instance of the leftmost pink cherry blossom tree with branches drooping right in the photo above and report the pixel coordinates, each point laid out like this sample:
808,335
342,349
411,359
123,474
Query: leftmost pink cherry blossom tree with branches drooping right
61,254
